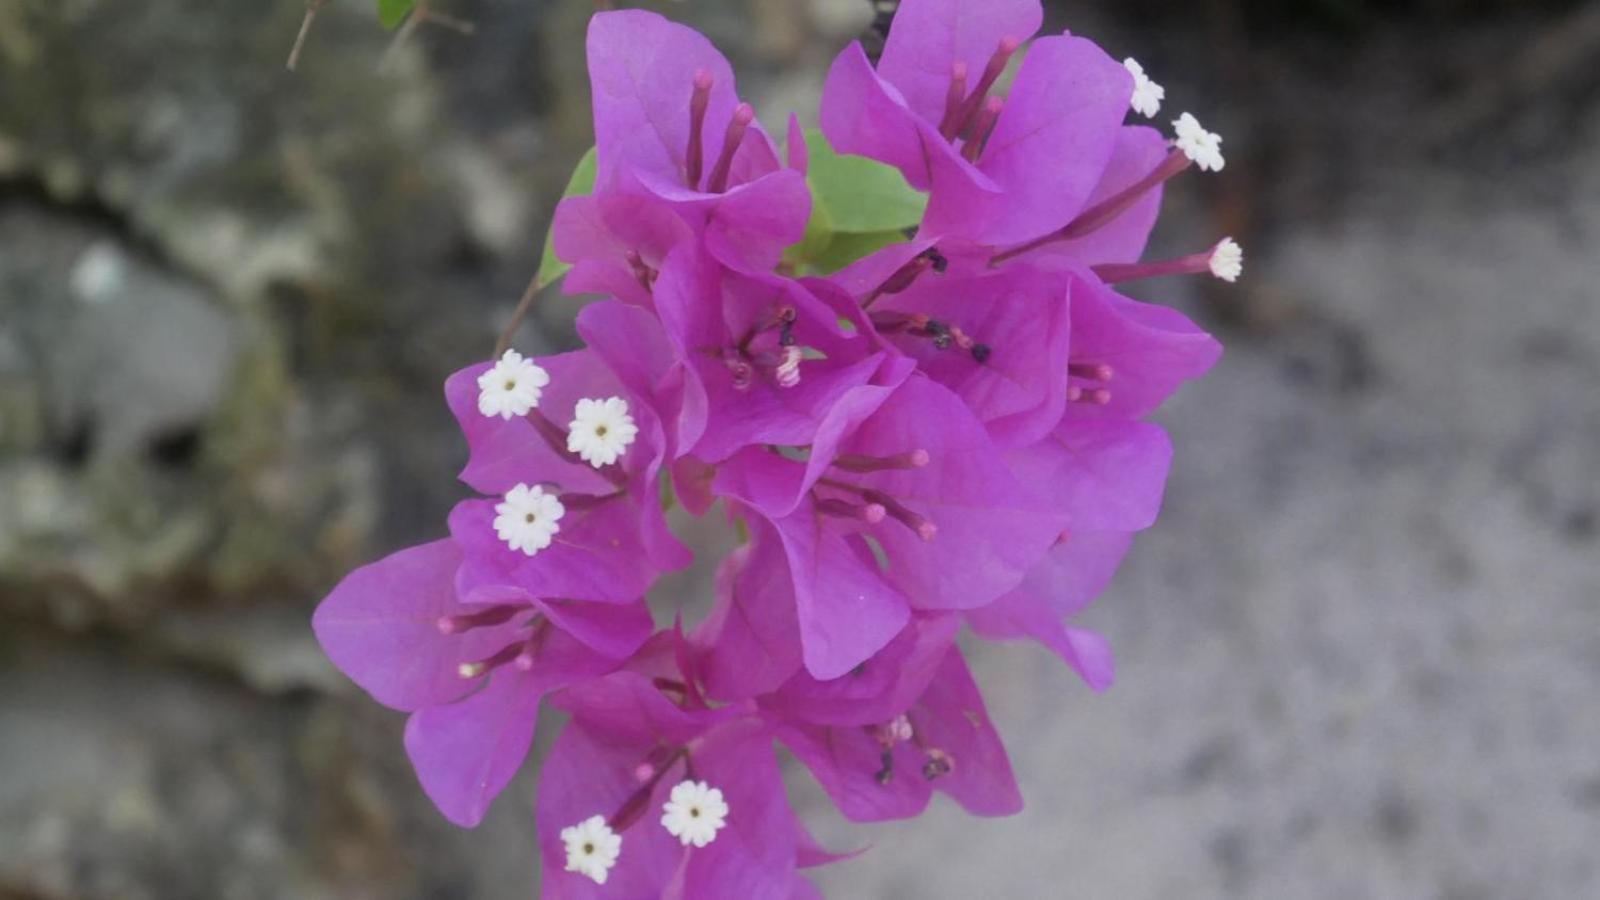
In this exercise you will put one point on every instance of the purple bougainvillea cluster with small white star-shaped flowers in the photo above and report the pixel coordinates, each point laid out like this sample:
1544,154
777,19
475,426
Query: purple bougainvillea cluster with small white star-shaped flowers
919,427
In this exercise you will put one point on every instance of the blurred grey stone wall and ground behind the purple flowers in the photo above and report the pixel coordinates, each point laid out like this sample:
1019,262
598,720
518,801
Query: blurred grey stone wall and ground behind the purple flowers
1359,656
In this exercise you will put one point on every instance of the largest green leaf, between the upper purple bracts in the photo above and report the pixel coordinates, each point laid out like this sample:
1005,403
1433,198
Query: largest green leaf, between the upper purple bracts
860,196
